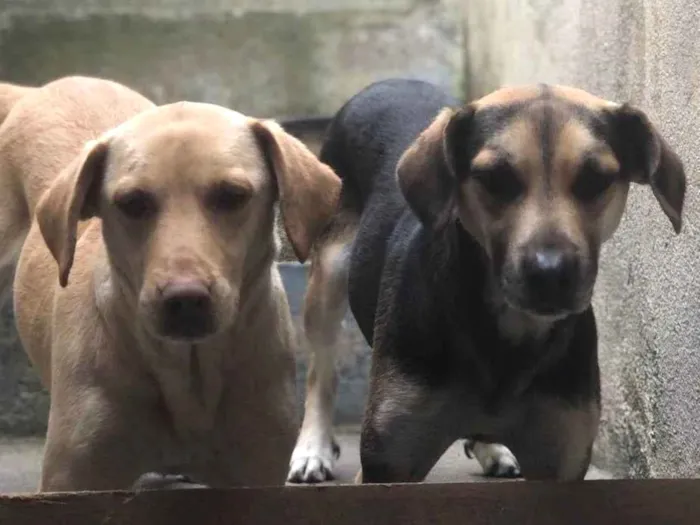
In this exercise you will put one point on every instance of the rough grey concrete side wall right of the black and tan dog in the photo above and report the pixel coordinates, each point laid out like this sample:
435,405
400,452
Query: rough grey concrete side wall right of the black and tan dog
648,295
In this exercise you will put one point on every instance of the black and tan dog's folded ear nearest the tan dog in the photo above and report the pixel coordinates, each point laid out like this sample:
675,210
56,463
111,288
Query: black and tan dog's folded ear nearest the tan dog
427,173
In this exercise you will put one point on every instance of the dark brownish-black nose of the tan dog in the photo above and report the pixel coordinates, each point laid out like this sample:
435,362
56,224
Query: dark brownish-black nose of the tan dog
187,310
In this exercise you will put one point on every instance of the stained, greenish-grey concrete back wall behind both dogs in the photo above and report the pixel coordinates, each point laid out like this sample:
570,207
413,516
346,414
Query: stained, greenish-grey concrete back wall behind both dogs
267,58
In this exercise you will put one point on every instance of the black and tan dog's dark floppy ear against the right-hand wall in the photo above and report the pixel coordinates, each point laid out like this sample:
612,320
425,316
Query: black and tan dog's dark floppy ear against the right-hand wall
648,159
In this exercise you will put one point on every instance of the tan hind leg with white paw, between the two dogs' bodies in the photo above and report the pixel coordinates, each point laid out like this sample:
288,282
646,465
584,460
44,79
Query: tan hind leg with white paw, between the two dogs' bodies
326,304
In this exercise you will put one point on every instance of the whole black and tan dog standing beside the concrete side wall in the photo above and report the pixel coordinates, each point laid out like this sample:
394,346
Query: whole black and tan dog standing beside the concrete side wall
467,242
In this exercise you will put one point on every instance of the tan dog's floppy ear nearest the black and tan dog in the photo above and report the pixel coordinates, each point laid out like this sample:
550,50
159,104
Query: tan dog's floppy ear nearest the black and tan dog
308,189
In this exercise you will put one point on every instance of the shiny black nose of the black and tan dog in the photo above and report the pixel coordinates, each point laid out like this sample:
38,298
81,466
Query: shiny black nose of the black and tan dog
550,275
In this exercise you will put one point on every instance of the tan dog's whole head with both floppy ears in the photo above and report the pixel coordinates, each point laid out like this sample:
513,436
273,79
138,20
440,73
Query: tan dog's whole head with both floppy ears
185,193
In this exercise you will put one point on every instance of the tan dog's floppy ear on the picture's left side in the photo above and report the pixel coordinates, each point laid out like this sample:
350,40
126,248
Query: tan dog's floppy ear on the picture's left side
70,198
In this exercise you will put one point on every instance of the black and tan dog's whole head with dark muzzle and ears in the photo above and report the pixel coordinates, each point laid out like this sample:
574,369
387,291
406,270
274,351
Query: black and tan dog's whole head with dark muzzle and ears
539,176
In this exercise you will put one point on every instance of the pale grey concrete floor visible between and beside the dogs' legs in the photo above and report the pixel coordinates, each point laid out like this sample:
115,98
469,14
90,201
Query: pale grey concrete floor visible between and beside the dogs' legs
20,464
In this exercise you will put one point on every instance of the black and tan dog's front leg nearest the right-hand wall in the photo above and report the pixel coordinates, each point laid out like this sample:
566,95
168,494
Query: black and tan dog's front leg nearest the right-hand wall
555,440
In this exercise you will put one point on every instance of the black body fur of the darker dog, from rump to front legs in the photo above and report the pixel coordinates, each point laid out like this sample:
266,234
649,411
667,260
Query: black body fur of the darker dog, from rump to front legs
422,297
